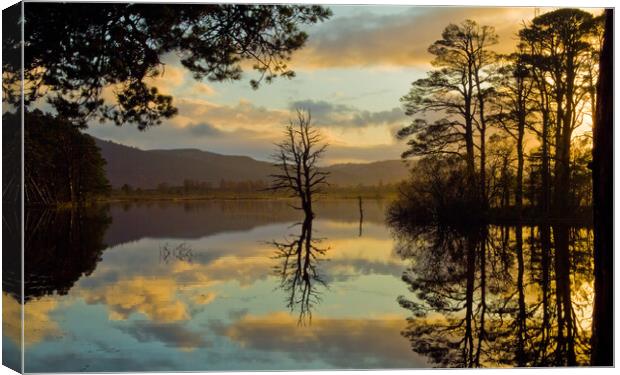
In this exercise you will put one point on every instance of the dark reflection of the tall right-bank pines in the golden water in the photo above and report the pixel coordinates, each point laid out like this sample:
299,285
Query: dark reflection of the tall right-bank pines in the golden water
498,296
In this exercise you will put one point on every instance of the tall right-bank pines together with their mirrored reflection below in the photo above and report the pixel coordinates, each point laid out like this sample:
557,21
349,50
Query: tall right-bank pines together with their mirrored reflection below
496,137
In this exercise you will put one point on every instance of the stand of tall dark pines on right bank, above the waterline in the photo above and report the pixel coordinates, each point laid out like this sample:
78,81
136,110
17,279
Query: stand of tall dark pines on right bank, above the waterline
496,132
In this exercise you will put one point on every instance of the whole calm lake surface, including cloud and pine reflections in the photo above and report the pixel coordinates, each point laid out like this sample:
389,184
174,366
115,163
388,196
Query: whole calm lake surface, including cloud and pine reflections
236,285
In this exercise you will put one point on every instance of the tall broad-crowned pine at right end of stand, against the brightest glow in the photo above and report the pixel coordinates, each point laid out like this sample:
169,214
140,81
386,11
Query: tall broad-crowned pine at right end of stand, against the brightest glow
560,50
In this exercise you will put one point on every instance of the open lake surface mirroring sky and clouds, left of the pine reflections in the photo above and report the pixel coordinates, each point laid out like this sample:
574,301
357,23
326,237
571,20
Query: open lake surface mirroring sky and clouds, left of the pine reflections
167,286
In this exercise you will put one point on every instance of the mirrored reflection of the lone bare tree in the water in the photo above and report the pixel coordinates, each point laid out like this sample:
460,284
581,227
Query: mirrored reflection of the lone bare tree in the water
298,258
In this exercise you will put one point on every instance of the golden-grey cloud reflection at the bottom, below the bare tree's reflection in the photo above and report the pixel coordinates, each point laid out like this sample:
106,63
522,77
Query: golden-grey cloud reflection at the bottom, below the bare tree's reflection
343,343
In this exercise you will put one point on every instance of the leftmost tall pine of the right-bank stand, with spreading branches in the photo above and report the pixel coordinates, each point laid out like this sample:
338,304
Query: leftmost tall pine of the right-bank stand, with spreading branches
456,91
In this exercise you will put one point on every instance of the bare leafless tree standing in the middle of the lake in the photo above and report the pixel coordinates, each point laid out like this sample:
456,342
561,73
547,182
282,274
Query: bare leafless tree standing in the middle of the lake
297,158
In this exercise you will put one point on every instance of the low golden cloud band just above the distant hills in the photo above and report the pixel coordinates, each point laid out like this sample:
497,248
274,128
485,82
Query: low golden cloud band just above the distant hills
244,128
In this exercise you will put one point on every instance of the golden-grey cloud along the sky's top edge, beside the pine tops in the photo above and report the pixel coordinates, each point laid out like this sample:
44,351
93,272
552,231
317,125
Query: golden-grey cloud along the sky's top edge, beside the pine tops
398,39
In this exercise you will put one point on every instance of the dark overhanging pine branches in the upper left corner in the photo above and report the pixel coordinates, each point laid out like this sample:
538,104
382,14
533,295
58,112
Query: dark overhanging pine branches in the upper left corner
73,51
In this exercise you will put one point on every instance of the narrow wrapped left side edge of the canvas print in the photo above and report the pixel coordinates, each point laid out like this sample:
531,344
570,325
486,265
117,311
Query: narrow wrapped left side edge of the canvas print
12,194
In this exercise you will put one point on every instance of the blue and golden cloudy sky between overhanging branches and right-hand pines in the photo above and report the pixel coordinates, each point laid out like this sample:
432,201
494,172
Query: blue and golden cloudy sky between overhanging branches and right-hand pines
351,75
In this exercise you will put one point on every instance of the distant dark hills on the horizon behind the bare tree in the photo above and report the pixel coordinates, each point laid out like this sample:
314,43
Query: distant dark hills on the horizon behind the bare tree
148,168
